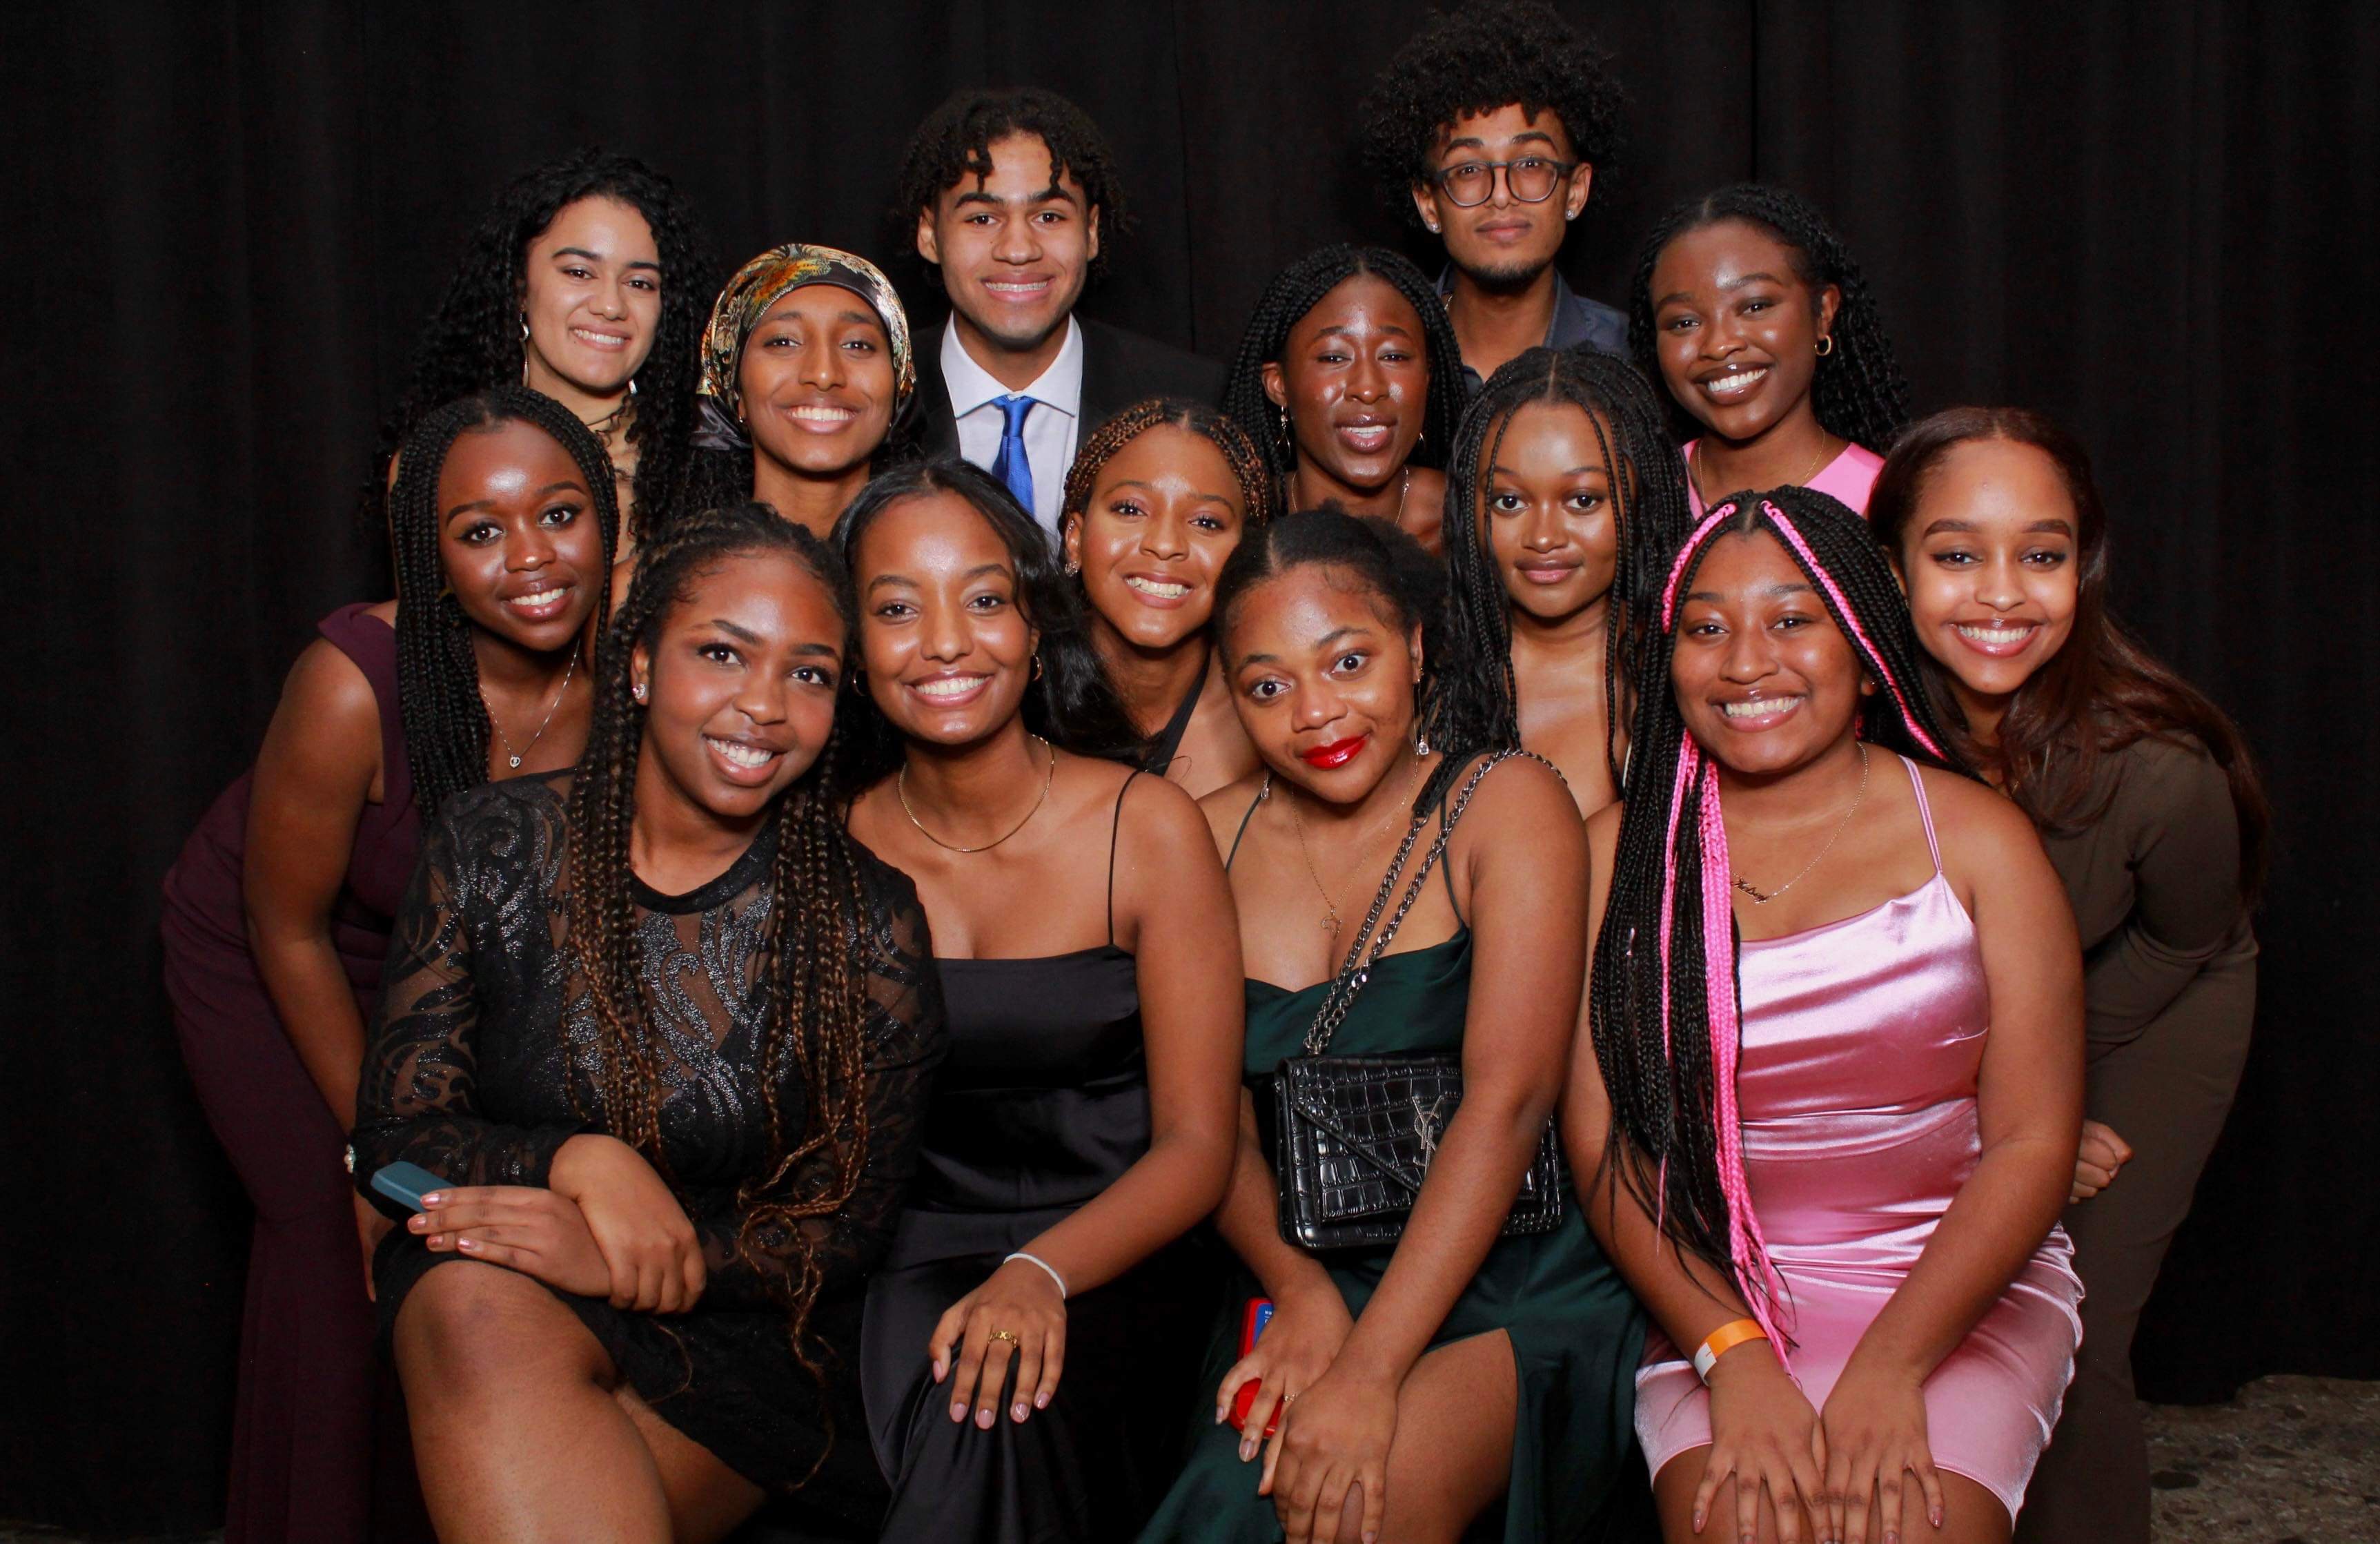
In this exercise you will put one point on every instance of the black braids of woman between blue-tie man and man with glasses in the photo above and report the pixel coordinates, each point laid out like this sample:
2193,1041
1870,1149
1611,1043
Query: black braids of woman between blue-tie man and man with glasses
1296,291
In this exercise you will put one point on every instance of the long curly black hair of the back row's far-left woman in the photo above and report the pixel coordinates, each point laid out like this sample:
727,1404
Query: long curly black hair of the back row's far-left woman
475,339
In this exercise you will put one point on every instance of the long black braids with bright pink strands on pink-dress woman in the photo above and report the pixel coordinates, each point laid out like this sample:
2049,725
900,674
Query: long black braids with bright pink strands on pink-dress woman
1665,1003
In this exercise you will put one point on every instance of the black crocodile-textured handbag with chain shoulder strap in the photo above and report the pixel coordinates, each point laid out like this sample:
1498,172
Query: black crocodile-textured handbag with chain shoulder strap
1355,1136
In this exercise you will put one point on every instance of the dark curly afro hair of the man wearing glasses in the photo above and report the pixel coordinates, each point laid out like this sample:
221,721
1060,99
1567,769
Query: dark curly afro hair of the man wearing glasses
1477,61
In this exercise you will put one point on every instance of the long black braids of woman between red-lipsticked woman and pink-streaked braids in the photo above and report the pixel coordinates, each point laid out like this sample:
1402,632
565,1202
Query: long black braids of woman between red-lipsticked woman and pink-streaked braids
1648,508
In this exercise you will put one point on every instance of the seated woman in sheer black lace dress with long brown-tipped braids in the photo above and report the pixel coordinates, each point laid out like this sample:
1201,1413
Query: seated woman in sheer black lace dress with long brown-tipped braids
663,1034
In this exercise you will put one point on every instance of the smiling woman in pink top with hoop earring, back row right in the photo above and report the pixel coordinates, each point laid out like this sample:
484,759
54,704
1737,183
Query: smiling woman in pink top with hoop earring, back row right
1753,313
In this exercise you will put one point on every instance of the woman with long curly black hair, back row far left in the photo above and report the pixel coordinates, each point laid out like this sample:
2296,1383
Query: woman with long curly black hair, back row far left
587,282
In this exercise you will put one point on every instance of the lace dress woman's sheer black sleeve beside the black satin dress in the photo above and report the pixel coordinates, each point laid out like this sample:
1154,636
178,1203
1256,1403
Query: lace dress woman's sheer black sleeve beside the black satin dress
906,1043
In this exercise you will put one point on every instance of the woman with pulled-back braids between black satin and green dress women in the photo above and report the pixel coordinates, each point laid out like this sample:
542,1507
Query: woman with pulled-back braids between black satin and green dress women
1155,506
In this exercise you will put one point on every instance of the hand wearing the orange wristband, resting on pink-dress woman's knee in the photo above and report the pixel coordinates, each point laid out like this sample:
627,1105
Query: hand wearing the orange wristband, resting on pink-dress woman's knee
1770,1438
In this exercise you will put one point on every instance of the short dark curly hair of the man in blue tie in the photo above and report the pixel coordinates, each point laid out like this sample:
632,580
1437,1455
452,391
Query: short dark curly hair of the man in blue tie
956,142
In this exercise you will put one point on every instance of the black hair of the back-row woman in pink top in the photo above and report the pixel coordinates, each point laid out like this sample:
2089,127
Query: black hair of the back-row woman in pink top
1858,391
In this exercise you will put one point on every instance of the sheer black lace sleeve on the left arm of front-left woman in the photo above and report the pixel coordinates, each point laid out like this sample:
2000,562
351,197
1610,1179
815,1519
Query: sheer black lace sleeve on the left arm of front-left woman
472,912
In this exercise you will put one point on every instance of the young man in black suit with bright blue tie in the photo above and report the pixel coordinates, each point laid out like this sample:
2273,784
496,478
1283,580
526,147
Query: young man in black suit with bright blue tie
1013,194
